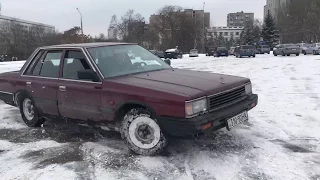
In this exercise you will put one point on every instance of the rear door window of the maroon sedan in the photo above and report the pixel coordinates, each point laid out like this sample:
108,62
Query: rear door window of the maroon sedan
49,66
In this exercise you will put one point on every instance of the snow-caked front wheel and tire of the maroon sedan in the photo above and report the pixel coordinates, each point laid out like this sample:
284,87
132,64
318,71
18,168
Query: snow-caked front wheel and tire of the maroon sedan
141,133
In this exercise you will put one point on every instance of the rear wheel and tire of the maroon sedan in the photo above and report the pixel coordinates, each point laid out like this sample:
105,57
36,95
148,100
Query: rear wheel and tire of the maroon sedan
29,111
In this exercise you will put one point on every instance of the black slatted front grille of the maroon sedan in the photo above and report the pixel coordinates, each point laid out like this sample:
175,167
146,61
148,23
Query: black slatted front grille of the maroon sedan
225,98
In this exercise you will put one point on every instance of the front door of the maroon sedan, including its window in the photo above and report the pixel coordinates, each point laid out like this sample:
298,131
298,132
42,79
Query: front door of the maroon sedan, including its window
78,99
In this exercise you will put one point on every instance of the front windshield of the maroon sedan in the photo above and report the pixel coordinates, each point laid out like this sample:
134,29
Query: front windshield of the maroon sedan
122,60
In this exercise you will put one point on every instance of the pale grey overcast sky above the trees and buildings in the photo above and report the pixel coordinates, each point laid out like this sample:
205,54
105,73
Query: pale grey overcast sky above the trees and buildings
97,13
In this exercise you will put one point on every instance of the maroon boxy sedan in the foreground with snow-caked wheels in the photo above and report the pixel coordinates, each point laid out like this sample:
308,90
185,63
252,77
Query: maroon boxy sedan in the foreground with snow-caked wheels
142,96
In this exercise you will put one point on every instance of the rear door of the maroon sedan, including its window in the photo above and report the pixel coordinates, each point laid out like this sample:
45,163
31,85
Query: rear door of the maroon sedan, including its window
42,80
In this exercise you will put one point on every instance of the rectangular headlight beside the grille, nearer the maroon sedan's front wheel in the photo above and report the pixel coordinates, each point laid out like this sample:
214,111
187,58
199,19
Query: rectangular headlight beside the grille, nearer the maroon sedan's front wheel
195,107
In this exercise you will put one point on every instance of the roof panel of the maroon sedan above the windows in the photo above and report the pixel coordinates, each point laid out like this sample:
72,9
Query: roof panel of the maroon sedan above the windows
88,45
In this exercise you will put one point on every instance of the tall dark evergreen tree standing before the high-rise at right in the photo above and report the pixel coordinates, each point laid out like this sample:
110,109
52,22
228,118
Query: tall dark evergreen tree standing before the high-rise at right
269,32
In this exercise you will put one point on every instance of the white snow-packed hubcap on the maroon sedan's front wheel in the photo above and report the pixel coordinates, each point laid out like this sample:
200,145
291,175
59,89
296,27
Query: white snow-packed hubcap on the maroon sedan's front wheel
144,132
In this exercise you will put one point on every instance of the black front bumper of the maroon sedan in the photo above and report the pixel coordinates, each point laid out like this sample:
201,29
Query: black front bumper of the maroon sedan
188,127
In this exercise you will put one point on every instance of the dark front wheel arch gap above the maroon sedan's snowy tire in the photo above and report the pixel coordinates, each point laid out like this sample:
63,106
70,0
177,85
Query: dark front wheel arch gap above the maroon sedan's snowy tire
125,107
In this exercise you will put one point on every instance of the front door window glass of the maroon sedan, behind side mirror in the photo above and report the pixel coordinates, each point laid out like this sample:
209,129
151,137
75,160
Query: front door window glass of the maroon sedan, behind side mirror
74,61
